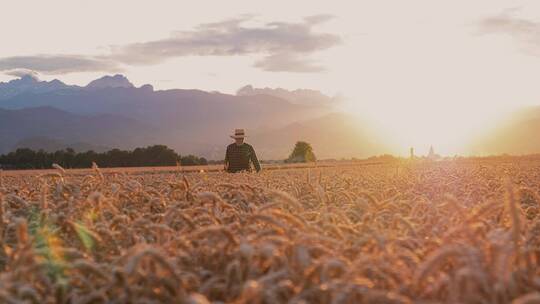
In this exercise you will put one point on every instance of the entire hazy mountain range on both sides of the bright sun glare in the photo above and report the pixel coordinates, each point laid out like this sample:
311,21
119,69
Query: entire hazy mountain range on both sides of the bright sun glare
110,112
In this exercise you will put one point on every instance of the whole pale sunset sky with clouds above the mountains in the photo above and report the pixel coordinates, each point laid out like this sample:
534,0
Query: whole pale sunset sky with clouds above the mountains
431,71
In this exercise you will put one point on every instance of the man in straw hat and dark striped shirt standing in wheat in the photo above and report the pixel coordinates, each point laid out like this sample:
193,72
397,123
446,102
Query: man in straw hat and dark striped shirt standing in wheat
239,154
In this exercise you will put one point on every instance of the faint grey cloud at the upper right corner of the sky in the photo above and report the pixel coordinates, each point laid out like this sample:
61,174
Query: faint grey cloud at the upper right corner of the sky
524,31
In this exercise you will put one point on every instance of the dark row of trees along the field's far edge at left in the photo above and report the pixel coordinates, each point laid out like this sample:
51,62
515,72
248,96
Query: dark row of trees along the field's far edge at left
151,156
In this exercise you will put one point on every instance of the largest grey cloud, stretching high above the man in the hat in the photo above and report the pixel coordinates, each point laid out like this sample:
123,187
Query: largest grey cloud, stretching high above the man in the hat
279,42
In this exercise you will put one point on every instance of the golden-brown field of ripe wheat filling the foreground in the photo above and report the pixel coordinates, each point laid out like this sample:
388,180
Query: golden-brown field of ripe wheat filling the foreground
445,232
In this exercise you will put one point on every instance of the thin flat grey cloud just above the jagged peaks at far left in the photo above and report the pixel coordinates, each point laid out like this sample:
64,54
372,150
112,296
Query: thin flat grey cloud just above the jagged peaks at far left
58,64
